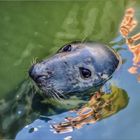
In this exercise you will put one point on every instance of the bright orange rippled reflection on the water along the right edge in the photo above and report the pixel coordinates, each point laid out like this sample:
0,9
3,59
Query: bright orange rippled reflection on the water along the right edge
127,26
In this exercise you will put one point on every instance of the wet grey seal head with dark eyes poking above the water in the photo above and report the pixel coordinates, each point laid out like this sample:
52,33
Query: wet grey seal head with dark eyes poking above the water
75,68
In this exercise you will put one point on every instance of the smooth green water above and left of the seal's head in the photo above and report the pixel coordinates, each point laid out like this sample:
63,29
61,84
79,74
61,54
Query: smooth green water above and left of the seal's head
31,30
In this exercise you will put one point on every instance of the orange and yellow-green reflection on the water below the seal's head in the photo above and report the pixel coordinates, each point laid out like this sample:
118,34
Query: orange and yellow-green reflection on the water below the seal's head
100,106
